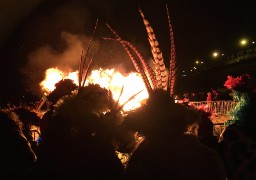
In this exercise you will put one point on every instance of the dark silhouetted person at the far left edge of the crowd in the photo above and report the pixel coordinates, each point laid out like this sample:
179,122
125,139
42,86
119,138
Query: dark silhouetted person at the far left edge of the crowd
17,158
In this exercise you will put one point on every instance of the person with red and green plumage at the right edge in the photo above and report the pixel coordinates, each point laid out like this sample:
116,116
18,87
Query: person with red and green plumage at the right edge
238,140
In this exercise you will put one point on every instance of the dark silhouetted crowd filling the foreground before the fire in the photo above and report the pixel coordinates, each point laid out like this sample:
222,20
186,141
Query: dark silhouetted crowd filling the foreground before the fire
82,130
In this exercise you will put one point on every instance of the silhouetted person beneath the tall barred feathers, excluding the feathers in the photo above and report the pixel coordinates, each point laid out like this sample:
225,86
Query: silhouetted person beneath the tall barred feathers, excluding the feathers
168,152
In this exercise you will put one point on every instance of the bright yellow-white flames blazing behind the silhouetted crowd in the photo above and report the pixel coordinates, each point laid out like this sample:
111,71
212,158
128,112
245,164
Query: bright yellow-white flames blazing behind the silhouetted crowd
107,78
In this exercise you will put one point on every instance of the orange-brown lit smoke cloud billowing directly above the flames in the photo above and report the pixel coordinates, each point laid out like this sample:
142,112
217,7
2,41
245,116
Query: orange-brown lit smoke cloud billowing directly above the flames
106,54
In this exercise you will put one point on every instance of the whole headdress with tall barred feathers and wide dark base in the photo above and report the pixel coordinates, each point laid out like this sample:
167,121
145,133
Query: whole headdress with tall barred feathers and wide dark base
160,116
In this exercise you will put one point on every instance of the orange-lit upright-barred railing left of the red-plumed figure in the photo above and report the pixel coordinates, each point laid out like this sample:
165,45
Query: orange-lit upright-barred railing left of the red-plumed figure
217,107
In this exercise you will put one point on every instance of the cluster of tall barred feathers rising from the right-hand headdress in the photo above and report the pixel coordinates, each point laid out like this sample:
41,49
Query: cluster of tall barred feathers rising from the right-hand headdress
156,78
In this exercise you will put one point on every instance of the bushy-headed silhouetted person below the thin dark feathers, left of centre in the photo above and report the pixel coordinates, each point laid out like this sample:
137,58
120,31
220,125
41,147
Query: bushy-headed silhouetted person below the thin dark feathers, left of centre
79,144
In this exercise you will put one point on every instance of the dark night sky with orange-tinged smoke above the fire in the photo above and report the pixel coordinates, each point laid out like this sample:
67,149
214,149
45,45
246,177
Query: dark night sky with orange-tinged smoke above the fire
38,34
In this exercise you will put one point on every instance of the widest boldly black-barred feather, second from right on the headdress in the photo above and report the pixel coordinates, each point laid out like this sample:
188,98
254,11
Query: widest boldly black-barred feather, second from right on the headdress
161,75
